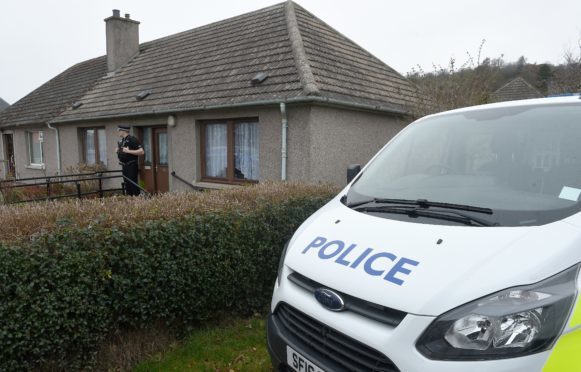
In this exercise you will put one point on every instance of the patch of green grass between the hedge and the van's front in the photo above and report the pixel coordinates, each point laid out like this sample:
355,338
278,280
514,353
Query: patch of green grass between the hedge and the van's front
233,345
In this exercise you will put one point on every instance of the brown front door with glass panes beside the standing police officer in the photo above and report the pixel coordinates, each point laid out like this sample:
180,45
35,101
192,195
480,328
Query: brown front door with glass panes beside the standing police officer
154,165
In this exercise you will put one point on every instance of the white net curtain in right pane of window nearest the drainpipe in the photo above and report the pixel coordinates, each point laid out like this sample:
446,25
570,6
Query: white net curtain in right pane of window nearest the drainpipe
246,151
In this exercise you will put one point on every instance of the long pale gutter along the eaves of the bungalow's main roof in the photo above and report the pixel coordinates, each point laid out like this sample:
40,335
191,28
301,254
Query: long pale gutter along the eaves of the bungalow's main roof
296,100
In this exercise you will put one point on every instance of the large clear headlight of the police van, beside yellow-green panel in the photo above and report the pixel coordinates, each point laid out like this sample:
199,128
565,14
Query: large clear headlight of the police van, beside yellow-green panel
511,323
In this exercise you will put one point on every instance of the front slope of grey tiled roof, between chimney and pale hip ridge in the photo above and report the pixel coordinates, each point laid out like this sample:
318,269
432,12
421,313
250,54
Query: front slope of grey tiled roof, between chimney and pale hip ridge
209,65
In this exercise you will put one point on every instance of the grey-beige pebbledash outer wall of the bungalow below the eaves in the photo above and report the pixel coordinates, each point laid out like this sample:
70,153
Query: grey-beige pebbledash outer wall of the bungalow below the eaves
321,142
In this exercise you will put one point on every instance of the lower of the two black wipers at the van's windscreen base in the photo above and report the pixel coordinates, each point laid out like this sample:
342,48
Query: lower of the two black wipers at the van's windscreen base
454,216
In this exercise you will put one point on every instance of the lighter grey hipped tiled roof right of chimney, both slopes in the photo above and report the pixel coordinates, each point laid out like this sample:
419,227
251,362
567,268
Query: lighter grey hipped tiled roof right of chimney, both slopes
212,66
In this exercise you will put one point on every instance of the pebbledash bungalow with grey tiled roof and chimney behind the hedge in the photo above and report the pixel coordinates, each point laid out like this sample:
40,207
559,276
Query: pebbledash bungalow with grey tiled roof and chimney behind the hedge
269,95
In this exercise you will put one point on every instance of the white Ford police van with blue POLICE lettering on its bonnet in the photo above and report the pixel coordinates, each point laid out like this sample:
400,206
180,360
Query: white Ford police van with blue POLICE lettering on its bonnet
456,248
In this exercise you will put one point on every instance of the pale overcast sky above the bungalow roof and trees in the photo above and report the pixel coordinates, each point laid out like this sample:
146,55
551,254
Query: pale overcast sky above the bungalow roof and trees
39,38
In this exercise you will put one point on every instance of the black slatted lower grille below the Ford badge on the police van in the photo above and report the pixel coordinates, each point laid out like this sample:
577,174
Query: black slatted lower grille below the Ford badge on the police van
319,340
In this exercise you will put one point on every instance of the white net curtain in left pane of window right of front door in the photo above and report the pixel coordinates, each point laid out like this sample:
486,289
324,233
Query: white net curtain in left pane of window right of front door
216,150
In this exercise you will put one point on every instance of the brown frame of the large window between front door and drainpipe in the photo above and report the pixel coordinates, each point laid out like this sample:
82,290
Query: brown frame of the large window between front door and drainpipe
230,145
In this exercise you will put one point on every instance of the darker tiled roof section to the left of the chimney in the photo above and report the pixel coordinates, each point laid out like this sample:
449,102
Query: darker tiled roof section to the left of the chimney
51,98
